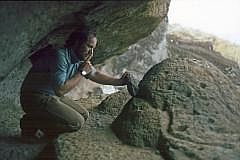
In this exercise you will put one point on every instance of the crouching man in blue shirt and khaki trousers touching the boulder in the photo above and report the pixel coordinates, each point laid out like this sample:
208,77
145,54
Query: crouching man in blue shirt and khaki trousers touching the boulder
54,73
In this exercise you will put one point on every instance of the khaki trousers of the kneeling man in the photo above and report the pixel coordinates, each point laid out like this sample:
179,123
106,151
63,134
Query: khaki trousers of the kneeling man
51,113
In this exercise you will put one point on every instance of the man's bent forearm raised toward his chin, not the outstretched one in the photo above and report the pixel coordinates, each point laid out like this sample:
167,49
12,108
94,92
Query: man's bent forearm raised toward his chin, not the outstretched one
68,85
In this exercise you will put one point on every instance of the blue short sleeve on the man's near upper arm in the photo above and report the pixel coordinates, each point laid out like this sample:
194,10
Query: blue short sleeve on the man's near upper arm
59,69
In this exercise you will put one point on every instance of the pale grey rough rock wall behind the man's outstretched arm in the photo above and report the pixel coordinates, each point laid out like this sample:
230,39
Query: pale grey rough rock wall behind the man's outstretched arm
141,56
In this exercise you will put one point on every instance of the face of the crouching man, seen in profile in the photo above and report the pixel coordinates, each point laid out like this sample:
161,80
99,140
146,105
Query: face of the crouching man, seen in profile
85,50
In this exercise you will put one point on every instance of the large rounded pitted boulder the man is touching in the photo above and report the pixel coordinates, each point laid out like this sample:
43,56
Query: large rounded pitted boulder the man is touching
186,108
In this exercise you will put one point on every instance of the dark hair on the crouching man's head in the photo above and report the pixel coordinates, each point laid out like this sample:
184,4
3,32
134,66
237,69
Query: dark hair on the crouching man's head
80,35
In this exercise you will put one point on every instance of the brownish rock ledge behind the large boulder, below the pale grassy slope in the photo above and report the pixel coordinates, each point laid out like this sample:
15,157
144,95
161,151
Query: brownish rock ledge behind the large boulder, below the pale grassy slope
202,50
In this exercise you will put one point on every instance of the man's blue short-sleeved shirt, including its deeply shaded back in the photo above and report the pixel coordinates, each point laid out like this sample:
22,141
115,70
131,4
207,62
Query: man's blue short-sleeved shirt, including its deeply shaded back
50,70
